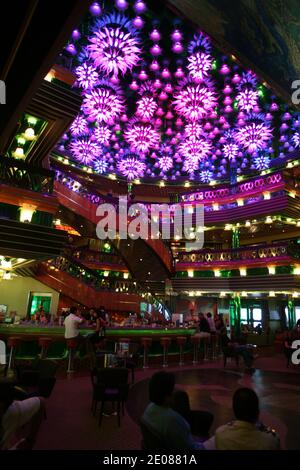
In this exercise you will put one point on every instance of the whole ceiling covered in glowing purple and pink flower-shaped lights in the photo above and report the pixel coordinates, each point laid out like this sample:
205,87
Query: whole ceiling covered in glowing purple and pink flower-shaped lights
161,103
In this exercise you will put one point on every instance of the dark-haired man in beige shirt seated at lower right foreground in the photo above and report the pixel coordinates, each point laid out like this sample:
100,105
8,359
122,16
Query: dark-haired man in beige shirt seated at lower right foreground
245,433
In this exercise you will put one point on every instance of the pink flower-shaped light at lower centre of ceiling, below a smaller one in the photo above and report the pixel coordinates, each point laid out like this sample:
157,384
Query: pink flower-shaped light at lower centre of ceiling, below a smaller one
141,137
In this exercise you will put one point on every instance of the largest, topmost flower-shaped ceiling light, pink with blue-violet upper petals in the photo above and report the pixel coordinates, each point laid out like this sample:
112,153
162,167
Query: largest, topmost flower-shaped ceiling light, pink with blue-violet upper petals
114,45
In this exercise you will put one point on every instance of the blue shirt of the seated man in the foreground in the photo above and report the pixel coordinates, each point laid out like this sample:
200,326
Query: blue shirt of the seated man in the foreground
171,426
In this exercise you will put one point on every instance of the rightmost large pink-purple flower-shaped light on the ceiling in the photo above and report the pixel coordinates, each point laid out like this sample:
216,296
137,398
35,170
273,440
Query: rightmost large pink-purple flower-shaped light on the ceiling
253,136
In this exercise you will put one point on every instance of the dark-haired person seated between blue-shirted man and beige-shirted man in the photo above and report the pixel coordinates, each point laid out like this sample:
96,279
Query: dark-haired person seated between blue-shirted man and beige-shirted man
200,421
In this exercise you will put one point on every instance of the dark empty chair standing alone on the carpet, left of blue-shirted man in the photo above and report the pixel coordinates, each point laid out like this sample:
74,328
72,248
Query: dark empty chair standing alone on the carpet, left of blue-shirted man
109,385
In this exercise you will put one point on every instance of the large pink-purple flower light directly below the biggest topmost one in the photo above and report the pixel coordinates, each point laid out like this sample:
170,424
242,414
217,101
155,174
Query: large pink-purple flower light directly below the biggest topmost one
103,104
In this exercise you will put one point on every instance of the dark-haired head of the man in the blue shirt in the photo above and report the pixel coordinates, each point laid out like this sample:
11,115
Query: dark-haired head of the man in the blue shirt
161,388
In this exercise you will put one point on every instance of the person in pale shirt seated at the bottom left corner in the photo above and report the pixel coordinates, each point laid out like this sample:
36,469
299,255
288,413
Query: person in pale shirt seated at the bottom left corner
15,415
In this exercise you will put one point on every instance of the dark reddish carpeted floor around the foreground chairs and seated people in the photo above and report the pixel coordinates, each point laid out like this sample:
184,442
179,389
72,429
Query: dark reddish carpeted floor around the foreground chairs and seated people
70,424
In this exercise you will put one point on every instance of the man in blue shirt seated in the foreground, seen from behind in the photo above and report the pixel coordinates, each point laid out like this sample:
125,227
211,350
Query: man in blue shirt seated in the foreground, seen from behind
170,426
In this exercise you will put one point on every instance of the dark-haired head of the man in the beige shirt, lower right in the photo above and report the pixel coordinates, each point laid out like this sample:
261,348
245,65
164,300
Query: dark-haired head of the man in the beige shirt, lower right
245,405
